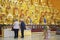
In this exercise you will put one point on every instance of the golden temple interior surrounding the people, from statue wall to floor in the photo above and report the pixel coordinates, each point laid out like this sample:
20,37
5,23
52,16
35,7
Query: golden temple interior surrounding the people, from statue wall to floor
33,12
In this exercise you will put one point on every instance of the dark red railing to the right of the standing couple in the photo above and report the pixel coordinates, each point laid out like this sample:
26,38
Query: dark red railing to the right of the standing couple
41,27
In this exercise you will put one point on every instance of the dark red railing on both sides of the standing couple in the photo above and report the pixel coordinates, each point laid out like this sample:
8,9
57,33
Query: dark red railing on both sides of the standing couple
35,27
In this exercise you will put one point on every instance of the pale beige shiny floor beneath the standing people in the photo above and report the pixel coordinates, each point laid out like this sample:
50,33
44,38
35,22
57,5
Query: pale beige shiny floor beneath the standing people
34,36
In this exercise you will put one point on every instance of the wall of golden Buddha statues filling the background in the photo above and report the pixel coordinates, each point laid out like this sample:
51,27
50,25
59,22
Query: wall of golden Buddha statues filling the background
33,12
